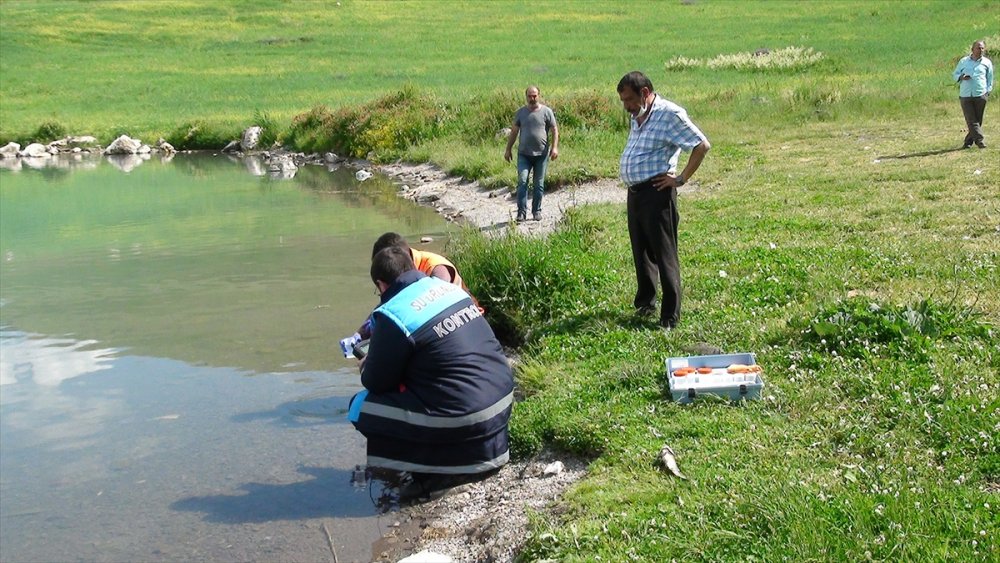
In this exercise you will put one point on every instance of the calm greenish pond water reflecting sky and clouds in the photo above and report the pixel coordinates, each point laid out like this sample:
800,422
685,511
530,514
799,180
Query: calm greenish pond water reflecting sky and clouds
171,387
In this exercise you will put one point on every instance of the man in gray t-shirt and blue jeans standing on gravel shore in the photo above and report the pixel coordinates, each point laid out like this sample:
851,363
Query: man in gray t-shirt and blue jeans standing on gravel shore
532,122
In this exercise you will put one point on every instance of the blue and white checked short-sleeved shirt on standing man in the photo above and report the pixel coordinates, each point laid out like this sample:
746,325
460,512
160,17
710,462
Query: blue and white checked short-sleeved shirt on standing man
653,148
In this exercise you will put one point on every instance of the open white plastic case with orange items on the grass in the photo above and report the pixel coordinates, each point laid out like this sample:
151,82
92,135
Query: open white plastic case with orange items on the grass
719,382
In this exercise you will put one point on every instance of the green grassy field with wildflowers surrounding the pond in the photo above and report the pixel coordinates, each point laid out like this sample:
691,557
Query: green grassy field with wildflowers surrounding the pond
835,231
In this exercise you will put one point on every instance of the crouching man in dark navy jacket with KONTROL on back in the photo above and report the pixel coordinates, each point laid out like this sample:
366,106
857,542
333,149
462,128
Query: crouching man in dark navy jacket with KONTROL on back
438,388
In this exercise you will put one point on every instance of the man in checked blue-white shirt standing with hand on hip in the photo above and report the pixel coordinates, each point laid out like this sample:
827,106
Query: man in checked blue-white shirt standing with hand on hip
660,129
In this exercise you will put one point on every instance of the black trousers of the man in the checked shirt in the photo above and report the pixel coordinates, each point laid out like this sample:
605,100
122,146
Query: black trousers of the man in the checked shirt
652,230
